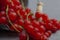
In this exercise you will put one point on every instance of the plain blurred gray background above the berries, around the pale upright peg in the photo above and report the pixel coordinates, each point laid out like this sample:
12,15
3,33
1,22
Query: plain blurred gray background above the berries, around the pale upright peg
51,7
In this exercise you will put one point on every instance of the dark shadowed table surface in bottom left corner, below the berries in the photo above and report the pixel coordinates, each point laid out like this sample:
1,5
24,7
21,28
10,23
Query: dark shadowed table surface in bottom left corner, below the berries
9,36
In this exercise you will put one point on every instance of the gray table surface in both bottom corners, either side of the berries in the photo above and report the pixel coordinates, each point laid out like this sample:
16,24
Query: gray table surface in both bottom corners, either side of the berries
15,36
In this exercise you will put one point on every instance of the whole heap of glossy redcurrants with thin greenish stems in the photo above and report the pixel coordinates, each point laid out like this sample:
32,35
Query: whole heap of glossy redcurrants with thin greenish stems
22,20
